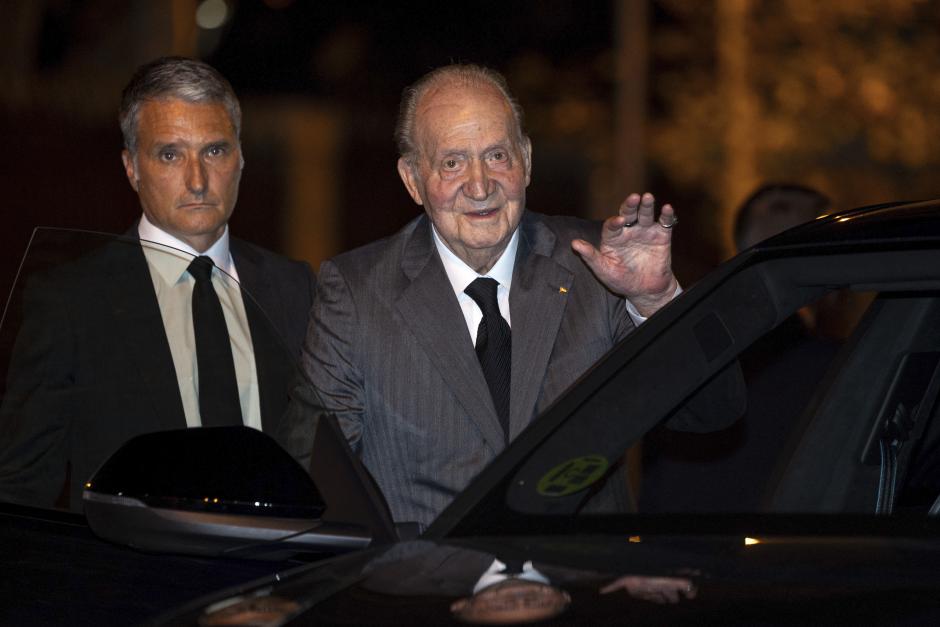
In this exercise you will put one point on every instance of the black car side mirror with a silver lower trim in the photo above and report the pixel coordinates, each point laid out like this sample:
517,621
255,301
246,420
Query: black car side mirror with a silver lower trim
214,491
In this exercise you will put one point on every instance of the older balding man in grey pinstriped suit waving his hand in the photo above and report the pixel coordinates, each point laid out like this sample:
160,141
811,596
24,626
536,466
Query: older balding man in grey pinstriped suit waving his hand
437,346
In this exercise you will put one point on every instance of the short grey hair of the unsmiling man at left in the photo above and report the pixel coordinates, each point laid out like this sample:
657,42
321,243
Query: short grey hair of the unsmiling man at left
174,78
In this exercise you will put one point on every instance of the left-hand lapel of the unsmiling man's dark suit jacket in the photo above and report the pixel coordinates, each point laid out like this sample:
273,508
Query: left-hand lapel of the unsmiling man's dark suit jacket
137,321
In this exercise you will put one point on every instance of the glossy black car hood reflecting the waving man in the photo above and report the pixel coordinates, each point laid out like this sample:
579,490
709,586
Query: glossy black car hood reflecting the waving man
640,579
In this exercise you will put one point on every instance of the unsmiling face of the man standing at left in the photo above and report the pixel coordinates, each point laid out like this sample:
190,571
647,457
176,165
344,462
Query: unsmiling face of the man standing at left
187,168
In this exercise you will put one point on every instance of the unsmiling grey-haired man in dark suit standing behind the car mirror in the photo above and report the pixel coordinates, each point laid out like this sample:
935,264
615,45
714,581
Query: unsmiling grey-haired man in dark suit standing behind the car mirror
154,331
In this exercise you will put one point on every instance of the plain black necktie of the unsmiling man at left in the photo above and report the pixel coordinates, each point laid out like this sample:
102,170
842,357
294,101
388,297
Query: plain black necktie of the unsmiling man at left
219,403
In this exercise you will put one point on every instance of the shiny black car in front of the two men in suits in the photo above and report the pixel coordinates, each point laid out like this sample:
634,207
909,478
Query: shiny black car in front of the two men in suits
818,507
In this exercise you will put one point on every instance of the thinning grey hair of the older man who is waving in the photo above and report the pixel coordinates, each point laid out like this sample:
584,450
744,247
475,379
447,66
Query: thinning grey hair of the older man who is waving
457,74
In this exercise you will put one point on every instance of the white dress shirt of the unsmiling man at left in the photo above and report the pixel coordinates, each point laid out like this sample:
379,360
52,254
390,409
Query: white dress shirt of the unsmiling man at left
168,259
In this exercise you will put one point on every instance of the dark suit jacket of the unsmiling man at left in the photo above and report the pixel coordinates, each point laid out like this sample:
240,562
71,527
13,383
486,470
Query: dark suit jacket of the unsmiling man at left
92,368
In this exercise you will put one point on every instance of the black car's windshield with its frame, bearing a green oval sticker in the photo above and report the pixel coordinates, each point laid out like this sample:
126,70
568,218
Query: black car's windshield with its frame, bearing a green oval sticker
837,342
